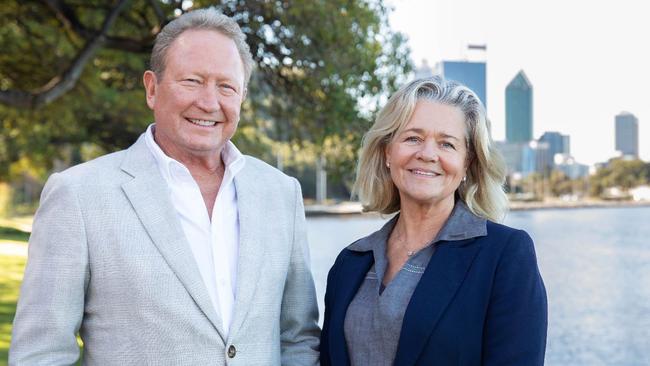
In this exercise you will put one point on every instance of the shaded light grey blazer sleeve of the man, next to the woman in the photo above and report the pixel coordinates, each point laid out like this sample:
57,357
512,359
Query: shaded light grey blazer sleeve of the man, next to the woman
299,315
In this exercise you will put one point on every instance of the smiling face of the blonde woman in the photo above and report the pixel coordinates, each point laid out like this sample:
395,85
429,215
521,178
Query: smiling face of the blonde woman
428,158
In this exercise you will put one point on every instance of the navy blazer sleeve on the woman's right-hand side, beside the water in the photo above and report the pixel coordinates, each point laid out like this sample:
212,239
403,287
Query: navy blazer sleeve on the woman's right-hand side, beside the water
516,321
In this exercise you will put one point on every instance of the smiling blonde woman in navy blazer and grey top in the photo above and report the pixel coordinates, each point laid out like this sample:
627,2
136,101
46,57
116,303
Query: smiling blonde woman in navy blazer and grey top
441,283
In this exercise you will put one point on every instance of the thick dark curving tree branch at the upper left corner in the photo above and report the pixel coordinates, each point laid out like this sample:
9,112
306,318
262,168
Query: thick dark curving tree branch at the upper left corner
59,85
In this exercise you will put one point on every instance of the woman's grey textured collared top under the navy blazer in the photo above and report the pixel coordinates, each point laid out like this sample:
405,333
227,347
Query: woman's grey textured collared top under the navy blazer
374,318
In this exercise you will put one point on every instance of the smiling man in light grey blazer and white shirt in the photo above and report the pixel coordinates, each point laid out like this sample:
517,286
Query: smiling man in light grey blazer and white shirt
179,250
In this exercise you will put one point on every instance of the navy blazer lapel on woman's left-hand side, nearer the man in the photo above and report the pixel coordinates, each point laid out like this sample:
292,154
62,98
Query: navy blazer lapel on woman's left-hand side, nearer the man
348,279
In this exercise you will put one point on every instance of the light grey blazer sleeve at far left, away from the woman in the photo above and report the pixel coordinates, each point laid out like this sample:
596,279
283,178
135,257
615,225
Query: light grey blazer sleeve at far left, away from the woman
51,303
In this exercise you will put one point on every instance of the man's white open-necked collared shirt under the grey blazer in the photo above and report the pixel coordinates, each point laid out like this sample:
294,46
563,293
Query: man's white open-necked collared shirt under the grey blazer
214,243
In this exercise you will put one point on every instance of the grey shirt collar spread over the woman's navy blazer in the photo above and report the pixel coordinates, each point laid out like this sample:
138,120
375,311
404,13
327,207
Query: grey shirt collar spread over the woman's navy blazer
462,224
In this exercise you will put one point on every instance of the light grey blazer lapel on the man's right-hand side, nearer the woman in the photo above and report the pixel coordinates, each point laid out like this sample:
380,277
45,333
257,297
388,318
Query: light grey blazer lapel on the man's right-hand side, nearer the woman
251,249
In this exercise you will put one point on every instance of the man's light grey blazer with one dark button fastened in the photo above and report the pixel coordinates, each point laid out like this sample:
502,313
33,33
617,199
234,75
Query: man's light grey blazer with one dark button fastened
108,259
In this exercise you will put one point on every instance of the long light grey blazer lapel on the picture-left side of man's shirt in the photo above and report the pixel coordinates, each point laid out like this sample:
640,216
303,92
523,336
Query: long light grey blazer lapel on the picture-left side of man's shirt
148,194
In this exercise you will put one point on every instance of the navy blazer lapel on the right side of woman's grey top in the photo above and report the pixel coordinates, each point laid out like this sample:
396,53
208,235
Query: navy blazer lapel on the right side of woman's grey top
437,287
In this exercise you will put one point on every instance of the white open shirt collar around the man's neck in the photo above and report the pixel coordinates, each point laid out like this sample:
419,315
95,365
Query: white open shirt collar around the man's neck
232,158
